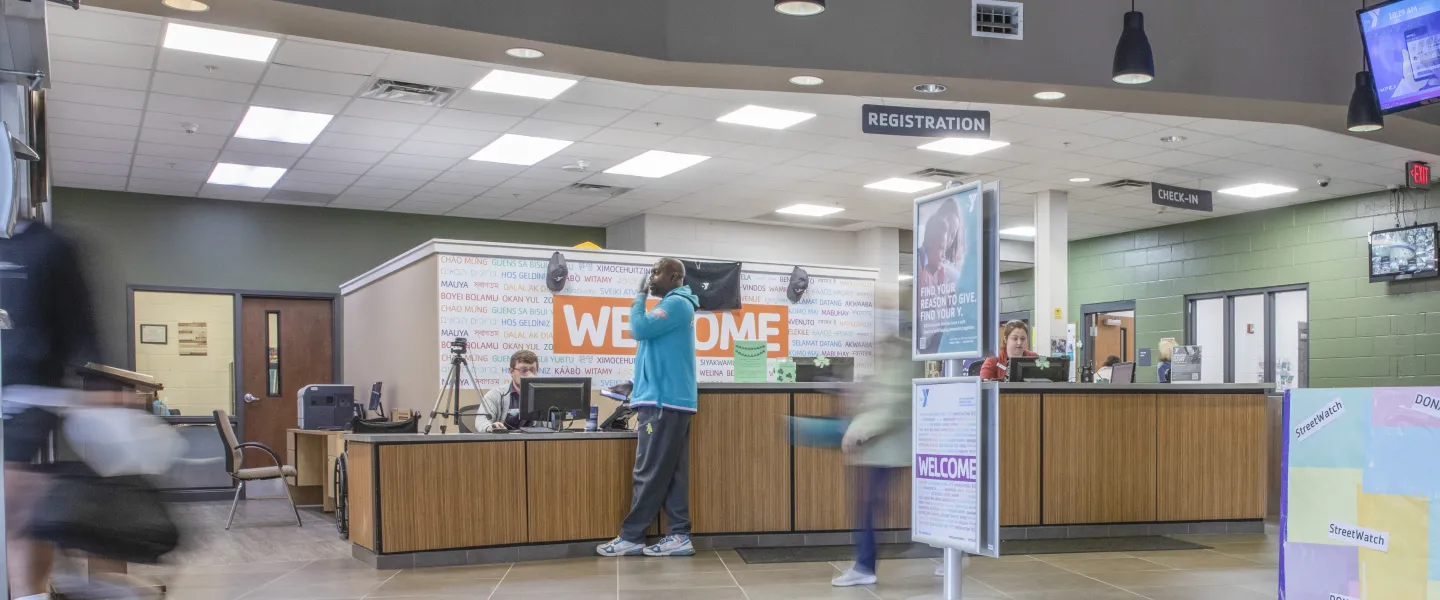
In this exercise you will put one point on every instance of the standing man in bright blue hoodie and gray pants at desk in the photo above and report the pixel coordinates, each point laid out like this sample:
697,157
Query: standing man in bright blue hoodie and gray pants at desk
665,398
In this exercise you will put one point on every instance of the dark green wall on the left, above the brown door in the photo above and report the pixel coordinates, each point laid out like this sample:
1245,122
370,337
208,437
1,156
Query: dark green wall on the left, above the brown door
166,241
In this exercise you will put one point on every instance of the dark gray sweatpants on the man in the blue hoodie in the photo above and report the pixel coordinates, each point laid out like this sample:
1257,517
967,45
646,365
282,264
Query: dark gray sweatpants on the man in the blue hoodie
662,473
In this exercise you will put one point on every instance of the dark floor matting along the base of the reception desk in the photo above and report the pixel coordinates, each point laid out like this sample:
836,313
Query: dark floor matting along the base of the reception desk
891,552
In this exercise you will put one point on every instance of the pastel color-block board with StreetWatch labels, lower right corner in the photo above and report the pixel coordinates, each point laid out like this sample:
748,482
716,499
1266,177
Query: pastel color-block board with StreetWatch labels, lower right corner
1360,510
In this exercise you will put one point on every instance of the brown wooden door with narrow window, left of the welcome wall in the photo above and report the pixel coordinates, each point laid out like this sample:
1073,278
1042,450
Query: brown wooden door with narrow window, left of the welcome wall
287,343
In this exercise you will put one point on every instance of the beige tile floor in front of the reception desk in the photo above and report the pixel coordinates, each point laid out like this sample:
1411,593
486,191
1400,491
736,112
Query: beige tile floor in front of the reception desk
237,566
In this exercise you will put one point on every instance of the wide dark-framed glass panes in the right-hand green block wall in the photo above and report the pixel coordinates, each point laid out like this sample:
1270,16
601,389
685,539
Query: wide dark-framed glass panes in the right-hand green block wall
1255,336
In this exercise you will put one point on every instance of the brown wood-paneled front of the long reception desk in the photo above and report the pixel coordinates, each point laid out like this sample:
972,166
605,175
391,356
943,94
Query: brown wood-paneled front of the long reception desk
1076,461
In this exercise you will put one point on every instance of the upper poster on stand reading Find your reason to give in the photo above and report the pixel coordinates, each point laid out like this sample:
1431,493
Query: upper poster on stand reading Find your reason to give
948,276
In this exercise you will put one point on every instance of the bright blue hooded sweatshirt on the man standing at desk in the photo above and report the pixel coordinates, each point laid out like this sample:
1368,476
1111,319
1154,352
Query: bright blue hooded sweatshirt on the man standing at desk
666,355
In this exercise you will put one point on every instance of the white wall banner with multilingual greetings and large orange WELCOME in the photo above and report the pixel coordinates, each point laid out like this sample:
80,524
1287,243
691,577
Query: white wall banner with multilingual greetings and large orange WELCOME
502,306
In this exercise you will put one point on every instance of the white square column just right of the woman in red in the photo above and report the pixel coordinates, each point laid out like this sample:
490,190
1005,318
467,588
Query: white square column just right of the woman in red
1052,268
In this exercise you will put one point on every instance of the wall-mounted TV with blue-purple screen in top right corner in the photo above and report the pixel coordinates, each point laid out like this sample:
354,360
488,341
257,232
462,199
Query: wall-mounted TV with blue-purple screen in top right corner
1403,47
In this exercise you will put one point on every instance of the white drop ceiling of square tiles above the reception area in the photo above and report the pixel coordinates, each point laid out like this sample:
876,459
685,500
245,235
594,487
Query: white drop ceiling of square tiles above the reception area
122,106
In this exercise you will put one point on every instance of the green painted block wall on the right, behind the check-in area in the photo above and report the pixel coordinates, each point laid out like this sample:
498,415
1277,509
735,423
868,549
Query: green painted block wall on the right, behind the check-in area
1362,335
